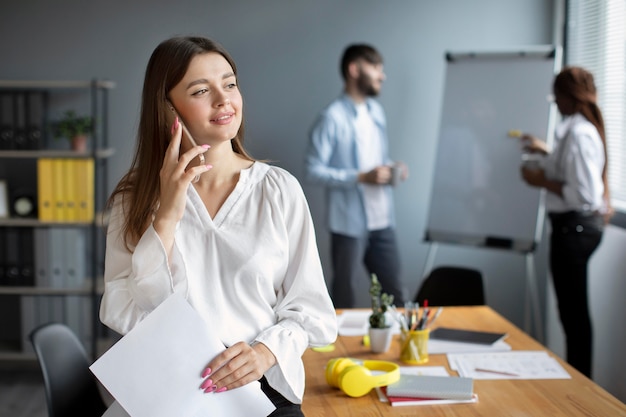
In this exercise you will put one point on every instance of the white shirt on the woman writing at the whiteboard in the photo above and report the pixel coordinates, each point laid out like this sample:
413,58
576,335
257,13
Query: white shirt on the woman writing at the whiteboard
578,161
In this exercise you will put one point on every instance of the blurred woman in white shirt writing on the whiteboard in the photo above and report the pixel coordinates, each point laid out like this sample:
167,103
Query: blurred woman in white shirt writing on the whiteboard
577,202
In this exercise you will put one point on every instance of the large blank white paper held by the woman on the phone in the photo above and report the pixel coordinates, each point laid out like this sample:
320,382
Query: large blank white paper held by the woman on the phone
155,370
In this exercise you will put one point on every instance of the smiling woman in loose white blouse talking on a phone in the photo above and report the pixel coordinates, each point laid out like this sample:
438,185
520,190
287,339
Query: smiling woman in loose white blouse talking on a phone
204,219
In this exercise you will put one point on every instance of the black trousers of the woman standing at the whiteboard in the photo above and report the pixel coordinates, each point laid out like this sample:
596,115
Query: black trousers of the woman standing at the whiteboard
575,236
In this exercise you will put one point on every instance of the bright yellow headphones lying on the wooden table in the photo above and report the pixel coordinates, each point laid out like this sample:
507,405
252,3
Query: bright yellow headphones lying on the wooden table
355,379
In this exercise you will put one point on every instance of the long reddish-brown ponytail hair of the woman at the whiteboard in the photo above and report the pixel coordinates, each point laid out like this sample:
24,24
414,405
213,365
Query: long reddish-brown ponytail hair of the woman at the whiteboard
577,85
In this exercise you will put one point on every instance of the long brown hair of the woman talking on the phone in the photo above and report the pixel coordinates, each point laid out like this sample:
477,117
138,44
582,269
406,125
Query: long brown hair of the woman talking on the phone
139,187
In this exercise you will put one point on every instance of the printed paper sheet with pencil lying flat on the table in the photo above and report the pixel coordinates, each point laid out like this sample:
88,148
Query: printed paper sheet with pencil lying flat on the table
517,364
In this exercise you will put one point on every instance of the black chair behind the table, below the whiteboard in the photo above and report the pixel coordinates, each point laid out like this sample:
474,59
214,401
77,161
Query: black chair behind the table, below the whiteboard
452,286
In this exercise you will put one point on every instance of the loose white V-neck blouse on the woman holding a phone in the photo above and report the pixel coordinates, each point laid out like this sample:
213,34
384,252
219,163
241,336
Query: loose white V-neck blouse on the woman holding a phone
254,271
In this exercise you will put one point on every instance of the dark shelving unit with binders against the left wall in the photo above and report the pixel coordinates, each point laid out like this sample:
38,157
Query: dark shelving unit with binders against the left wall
23,305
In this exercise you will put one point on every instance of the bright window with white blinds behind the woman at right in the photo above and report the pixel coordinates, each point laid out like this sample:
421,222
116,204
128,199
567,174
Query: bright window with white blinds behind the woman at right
595,39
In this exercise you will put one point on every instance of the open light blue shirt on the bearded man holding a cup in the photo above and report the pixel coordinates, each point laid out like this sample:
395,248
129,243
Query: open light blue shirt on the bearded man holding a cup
332,160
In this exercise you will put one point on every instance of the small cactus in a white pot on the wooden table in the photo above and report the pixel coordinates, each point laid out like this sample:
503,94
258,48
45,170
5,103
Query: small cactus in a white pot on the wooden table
380,332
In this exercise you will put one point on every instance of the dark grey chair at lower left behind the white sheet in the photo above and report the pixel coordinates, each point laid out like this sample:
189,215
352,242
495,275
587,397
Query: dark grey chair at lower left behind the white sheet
71,388
